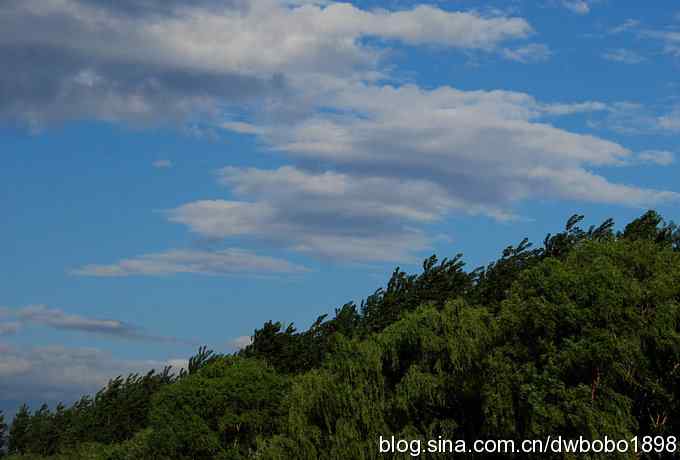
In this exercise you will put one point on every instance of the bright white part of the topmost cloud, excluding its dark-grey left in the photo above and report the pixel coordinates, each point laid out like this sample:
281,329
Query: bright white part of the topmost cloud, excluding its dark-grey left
224,42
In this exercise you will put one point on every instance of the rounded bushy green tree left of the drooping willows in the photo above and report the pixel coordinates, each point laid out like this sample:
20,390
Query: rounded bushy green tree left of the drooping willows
219,411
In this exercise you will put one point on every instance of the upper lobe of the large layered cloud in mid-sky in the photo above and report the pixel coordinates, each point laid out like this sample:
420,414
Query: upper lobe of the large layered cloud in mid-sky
441,129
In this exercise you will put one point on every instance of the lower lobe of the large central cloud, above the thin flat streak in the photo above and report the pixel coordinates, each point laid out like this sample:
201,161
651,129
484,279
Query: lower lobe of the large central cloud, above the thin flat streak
327,214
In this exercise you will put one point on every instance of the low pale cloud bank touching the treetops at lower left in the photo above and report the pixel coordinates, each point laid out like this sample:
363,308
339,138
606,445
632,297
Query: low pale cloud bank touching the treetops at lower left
55,374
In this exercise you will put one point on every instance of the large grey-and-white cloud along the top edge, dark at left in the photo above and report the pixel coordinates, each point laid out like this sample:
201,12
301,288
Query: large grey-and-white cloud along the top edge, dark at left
173,61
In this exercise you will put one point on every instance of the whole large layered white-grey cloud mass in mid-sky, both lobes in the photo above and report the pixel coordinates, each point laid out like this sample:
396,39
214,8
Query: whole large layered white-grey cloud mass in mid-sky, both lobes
376,164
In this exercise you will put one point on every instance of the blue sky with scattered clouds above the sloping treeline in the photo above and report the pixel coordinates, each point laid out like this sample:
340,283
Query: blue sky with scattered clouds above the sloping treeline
175,174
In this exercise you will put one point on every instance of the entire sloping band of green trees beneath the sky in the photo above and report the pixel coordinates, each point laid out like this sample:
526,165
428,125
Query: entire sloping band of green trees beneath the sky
579,336
